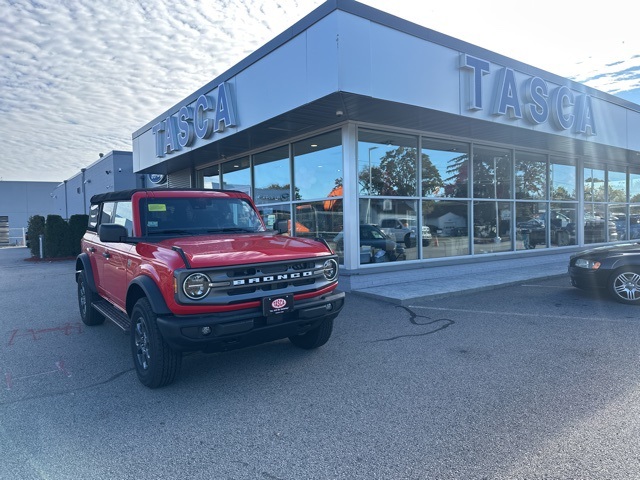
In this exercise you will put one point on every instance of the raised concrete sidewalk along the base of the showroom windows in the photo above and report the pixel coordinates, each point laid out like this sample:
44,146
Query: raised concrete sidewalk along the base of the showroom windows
439,281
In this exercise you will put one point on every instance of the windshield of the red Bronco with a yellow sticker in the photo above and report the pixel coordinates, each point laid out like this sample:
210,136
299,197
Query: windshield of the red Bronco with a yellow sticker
194,216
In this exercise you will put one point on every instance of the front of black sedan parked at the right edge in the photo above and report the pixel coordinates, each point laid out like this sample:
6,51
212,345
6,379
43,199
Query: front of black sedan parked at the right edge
615,268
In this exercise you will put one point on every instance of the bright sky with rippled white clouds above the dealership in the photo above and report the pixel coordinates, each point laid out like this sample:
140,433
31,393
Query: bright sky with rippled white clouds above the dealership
78,77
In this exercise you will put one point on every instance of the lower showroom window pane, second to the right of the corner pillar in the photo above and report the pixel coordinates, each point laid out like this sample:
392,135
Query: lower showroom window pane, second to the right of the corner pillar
447,228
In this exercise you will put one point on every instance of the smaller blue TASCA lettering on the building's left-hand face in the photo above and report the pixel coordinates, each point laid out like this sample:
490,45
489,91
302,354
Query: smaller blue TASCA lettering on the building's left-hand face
205,118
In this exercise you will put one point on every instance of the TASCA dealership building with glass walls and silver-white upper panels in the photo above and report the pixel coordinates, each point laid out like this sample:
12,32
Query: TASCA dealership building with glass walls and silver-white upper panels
354,122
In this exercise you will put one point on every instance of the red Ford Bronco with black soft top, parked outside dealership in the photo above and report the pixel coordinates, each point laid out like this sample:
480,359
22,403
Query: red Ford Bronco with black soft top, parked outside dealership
196,270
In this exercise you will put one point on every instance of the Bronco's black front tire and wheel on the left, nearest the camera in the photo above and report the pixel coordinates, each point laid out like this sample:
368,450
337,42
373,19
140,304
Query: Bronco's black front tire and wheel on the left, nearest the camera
155,362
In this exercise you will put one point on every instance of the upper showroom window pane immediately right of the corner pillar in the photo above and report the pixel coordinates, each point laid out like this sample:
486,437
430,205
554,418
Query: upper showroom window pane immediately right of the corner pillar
387,164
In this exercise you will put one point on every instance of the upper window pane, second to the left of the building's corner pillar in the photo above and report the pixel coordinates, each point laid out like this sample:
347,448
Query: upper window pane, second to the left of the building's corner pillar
272,176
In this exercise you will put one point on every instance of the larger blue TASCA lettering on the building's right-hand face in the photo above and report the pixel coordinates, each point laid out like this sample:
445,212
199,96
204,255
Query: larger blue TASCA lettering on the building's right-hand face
532,100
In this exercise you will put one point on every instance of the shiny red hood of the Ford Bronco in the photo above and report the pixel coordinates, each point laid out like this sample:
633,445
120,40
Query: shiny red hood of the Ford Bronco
223,250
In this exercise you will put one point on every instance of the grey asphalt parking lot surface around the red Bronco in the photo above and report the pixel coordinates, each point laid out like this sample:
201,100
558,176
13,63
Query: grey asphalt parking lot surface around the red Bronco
535,380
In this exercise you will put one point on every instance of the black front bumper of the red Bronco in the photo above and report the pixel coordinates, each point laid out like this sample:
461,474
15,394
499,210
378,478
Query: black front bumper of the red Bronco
233,330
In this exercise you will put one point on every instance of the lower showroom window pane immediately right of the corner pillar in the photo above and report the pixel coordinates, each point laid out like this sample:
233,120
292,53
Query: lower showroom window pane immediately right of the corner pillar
388,230
